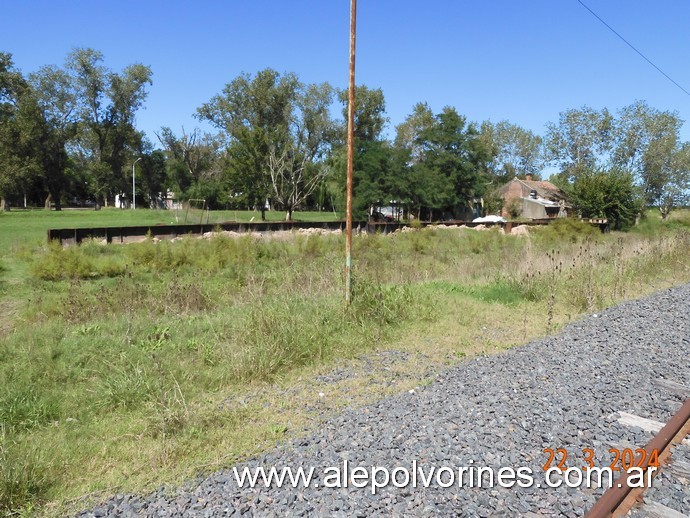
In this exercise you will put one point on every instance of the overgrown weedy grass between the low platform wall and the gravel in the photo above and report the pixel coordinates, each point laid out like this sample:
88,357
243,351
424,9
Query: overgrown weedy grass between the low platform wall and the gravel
124,367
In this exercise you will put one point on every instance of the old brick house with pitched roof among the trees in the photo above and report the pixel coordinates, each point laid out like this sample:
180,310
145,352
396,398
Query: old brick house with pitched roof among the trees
533,199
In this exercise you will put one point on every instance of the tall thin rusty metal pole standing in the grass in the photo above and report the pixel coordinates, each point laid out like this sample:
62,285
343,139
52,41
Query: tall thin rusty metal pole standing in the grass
350,154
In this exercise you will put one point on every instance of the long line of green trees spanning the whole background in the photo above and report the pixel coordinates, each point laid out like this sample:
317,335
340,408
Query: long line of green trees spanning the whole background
68,134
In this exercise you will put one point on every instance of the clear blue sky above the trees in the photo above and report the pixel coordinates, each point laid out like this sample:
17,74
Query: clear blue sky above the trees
524,61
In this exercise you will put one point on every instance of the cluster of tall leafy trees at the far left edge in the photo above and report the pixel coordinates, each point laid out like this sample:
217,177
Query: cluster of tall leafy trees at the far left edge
70,128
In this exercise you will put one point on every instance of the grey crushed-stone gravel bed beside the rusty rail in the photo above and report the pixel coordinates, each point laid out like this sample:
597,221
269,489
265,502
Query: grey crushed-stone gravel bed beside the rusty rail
563,391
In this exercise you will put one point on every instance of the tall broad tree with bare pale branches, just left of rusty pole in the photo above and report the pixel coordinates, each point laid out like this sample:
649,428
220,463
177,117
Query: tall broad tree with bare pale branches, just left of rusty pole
277,130
